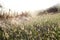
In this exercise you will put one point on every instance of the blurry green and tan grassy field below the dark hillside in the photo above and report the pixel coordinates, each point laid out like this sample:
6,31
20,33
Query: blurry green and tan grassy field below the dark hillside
43,27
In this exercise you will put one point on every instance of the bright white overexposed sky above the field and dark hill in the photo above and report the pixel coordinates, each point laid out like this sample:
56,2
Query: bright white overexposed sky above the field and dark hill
32,5
